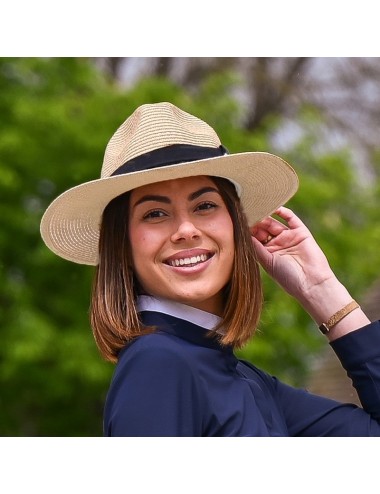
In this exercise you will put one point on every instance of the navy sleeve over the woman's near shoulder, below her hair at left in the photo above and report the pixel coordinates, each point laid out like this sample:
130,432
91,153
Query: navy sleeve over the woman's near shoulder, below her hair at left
155,392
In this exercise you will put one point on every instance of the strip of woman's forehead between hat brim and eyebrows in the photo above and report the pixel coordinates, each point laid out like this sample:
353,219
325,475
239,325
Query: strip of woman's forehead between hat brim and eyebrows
168,187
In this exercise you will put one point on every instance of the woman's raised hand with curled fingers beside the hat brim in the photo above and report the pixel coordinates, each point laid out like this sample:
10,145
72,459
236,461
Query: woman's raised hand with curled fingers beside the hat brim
289,254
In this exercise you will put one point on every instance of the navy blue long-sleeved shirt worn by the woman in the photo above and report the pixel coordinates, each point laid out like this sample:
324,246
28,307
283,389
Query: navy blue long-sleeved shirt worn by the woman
179,381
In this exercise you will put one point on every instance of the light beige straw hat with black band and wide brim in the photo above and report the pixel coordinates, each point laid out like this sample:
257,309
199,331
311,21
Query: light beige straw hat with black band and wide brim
161,142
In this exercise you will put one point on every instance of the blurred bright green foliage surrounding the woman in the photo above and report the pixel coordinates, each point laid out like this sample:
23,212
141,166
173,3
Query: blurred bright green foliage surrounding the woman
56,118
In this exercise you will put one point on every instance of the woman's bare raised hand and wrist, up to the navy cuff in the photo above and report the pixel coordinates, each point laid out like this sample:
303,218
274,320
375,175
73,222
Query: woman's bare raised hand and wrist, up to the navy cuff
291,256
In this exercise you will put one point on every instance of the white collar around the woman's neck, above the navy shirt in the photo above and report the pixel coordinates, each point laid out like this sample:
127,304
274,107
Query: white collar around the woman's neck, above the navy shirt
191,314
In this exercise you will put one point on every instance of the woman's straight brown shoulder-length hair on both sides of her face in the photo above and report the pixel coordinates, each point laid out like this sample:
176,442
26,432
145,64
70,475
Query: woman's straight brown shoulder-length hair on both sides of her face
113,314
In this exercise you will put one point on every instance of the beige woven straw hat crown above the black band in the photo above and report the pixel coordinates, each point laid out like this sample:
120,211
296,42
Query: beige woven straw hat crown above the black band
151,127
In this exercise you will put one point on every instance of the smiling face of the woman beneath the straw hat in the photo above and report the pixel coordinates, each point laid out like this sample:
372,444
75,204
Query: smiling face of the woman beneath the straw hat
182,241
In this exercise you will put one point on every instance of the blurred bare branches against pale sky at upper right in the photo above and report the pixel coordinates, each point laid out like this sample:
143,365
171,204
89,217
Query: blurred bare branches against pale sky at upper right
344,90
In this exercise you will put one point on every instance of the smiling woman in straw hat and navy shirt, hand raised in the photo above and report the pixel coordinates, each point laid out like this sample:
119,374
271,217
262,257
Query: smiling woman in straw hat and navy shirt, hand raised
176,227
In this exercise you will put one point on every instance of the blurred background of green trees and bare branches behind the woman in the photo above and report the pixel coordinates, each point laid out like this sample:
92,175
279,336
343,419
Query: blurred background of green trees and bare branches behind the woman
56,117
